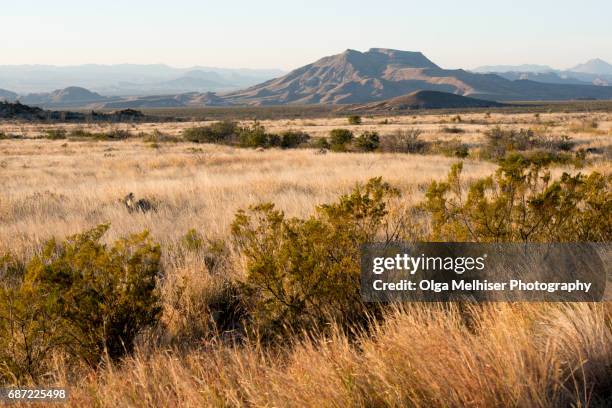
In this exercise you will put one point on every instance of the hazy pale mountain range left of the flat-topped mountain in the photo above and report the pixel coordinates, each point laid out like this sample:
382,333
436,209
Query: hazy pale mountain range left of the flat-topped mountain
129,79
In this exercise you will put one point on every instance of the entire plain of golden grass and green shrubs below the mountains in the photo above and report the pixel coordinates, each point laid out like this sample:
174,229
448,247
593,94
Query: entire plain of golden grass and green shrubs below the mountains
261,307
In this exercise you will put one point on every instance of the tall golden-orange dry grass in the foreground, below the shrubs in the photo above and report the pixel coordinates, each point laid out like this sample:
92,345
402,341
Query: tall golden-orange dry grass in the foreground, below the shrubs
496,355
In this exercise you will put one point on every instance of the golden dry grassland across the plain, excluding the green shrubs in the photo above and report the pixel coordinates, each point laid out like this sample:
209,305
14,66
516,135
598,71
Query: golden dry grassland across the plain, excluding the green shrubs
520,355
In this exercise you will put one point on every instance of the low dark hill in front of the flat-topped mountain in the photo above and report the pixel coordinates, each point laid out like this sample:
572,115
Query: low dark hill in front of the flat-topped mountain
427,100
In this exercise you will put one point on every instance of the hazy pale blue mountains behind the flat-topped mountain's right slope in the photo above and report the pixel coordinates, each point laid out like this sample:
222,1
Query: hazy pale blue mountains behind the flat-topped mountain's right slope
593,72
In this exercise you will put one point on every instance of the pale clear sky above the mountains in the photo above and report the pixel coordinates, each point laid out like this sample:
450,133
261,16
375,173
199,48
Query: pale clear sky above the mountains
291,33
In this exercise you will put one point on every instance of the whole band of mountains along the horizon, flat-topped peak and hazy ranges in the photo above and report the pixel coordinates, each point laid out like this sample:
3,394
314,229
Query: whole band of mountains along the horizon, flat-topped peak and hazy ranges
351,77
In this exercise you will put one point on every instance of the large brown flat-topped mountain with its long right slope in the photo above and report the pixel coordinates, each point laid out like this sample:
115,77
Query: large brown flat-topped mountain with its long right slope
379,74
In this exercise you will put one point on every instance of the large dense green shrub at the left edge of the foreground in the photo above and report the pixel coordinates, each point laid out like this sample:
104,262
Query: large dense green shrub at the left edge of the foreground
81,298
